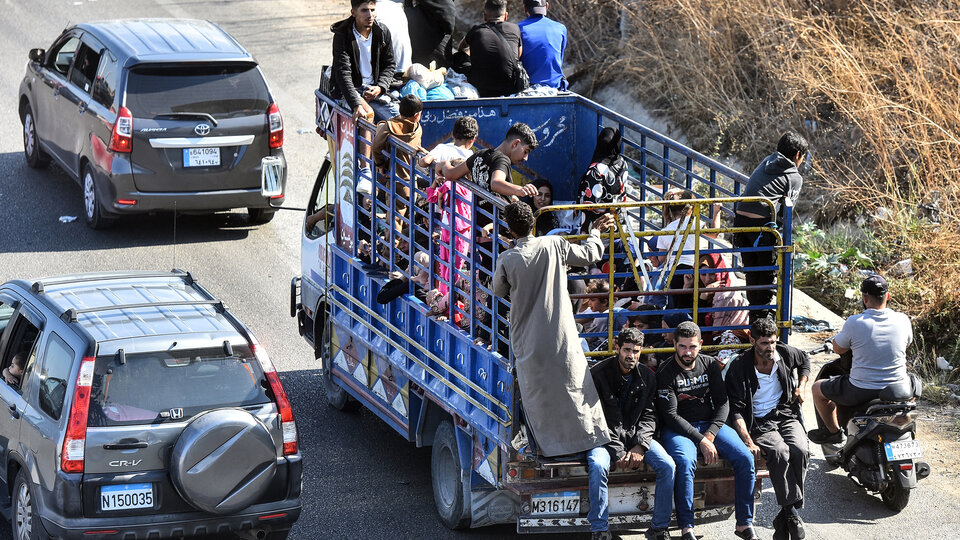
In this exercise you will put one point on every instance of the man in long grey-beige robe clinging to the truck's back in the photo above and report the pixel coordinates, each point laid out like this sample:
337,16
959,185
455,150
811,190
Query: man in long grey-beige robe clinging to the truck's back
560,402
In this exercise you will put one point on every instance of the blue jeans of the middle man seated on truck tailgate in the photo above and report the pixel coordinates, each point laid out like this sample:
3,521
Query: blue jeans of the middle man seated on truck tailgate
730,447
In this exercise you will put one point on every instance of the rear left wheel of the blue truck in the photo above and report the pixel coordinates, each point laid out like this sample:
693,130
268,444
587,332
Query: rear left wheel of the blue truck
447,479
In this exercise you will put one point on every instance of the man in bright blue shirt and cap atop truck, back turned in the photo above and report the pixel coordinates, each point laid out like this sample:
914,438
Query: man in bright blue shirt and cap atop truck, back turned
544,41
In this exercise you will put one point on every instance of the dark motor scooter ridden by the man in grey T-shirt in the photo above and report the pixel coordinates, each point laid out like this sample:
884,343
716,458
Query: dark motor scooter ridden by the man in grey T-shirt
881,451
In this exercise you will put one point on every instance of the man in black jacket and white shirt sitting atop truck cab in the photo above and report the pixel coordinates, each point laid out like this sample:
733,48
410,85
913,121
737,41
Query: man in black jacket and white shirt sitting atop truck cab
363,63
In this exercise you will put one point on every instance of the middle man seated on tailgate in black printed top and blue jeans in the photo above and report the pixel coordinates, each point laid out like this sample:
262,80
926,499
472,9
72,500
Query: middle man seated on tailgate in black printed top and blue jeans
693,406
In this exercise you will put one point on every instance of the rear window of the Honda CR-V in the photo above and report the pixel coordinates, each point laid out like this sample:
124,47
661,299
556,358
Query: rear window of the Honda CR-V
173,385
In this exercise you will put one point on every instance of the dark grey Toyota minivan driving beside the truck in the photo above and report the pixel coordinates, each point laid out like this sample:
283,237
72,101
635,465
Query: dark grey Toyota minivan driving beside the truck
155,115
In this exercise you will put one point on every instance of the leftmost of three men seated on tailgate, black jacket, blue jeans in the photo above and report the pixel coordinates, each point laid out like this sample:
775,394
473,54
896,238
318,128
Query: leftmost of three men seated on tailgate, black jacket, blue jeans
627,389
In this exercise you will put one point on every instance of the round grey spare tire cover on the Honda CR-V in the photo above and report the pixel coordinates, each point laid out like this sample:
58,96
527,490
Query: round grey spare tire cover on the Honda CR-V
223,461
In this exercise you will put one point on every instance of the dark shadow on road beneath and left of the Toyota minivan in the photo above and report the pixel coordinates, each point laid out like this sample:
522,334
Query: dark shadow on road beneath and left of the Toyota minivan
34,201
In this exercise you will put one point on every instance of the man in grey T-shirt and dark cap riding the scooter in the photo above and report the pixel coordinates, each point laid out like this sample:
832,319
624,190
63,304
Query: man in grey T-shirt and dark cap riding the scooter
878,339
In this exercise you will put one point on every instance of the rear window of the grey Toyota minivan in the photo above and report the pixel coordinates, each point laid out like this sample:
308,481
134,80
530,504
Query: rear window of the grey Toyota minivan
219,90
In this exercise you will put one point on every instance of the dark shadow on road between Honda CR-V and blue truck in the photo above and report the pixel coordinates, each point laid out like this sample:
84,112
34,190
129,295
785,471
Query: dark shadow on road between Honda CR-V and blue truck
361,478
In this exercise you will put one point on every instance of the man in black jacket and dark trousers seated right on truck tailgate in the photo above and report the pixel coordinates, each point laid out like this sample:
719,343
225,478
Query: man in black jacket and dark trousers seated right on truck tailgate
765,410
